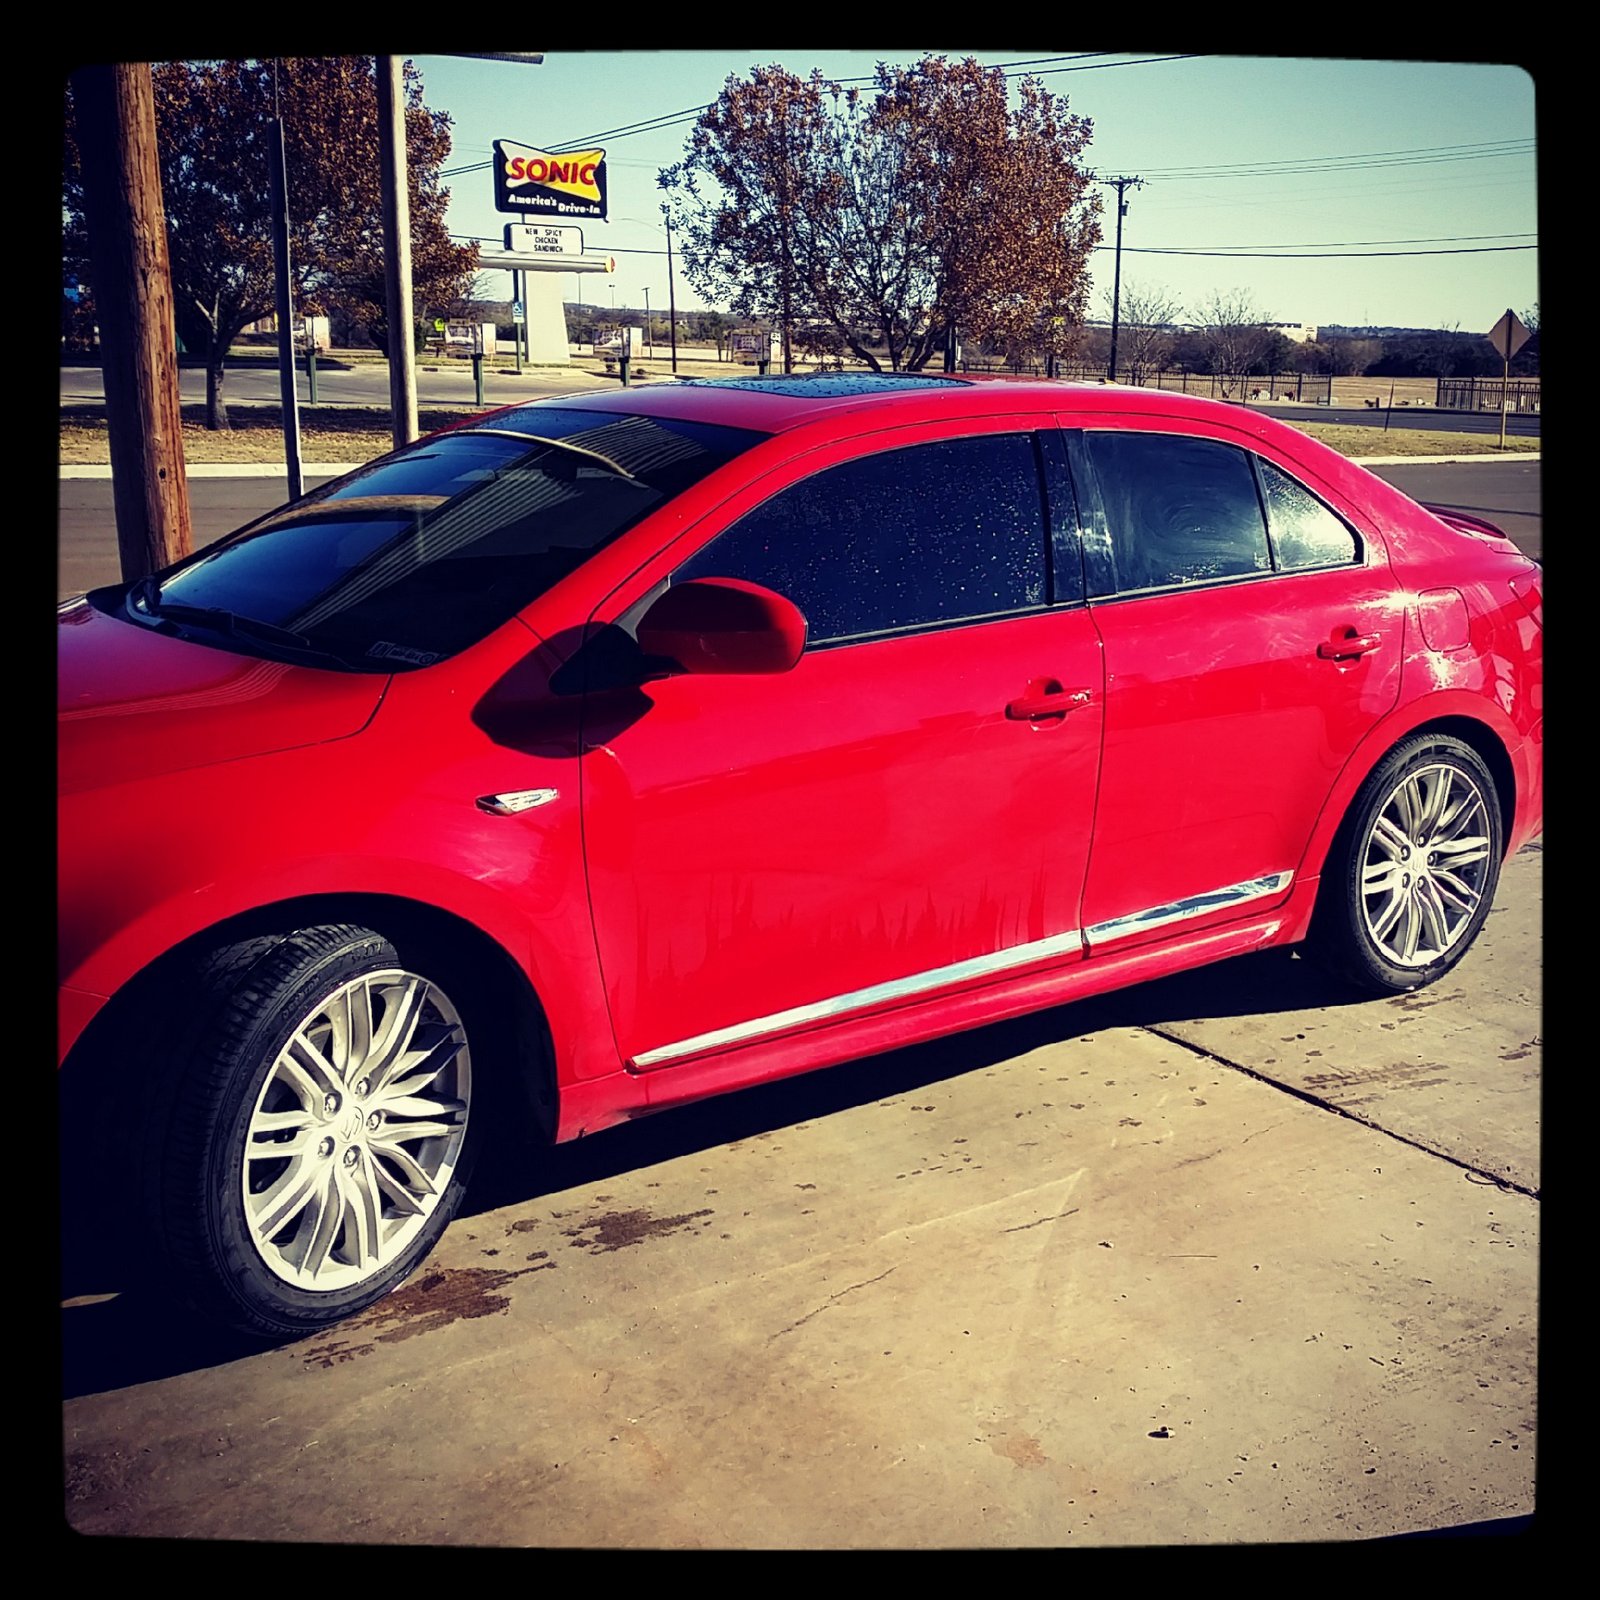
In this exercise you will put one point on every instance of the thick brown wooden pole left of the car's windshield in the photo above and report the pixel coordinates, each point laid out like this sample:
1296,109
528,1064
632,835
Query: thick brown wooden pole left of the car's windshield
134,292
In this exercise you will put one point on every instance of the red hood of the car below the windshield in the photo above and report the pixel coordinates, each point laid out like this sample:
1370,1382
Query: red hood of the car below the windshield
134,703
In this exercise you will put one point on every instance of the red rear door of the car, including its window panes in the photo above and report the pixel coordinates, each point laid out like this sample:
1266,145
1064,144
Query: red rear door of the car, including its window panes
1252,641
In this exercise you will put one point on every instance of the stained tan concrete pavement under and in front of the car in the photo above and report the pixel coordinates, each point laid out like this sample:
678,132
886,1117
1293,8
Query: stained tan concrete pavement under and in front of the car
1225,1258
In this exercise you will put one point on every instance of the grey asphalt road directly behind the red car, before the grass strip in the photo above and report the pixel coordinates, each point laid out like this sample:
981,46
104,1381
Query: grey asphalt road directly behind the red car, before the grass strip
1506,492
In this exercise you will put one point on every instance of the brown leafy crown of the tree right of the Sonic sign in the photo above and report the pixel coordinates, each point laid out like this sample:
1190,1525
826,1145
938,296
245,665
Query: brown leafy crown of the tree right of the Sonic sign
895,214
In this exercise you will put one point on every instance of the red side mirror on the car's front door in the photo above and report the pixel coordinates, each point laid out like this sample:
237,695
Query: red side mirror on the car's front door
724,625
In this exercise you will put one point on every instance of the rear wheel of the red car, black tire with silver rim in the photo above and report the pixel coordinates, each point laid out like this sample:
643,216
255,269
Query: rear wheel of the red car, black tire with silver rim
1414,871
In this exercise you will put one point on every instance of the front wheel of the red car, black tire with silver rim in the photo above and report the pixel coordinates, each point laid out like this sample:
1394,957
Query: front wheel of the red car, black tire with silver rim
290,1190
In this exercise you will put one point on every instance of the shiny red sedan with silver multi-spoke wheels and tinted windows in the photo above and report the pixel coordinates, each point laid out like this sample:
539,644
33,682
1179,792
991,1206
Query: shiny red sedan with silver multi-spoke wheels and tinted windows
609,753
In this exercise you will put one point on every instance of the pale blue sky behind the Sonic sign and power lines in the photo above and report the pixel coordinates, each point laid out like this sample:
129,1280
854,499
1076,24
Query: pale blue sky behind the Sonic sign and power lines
1263,154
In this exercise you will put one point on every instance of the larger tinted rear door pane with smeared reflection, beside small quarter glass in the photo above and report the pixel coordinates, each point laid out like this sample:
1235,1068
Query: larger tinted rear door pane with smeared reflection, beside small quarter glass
1178,511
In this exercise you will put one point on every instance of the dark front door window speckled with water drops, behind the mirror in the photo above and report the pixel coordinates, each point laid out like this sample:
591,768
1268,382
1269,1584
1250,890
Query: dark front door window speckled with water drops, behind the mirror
908,538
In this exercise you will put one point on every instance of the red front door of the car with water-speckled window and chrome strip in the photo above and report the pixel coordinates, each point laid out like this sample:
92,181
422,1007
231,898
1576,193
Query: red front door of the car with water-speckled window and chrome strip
905,812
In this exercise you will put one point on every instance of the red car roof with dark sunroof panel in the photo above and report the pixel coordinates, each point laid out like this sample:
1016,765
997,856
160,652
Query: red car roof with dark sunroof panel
775,406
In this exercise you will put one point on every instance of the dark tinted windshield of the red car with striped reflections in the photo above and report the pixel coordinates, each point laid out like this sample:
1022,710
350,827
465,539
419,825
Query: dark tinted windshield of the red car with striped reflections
426,553
